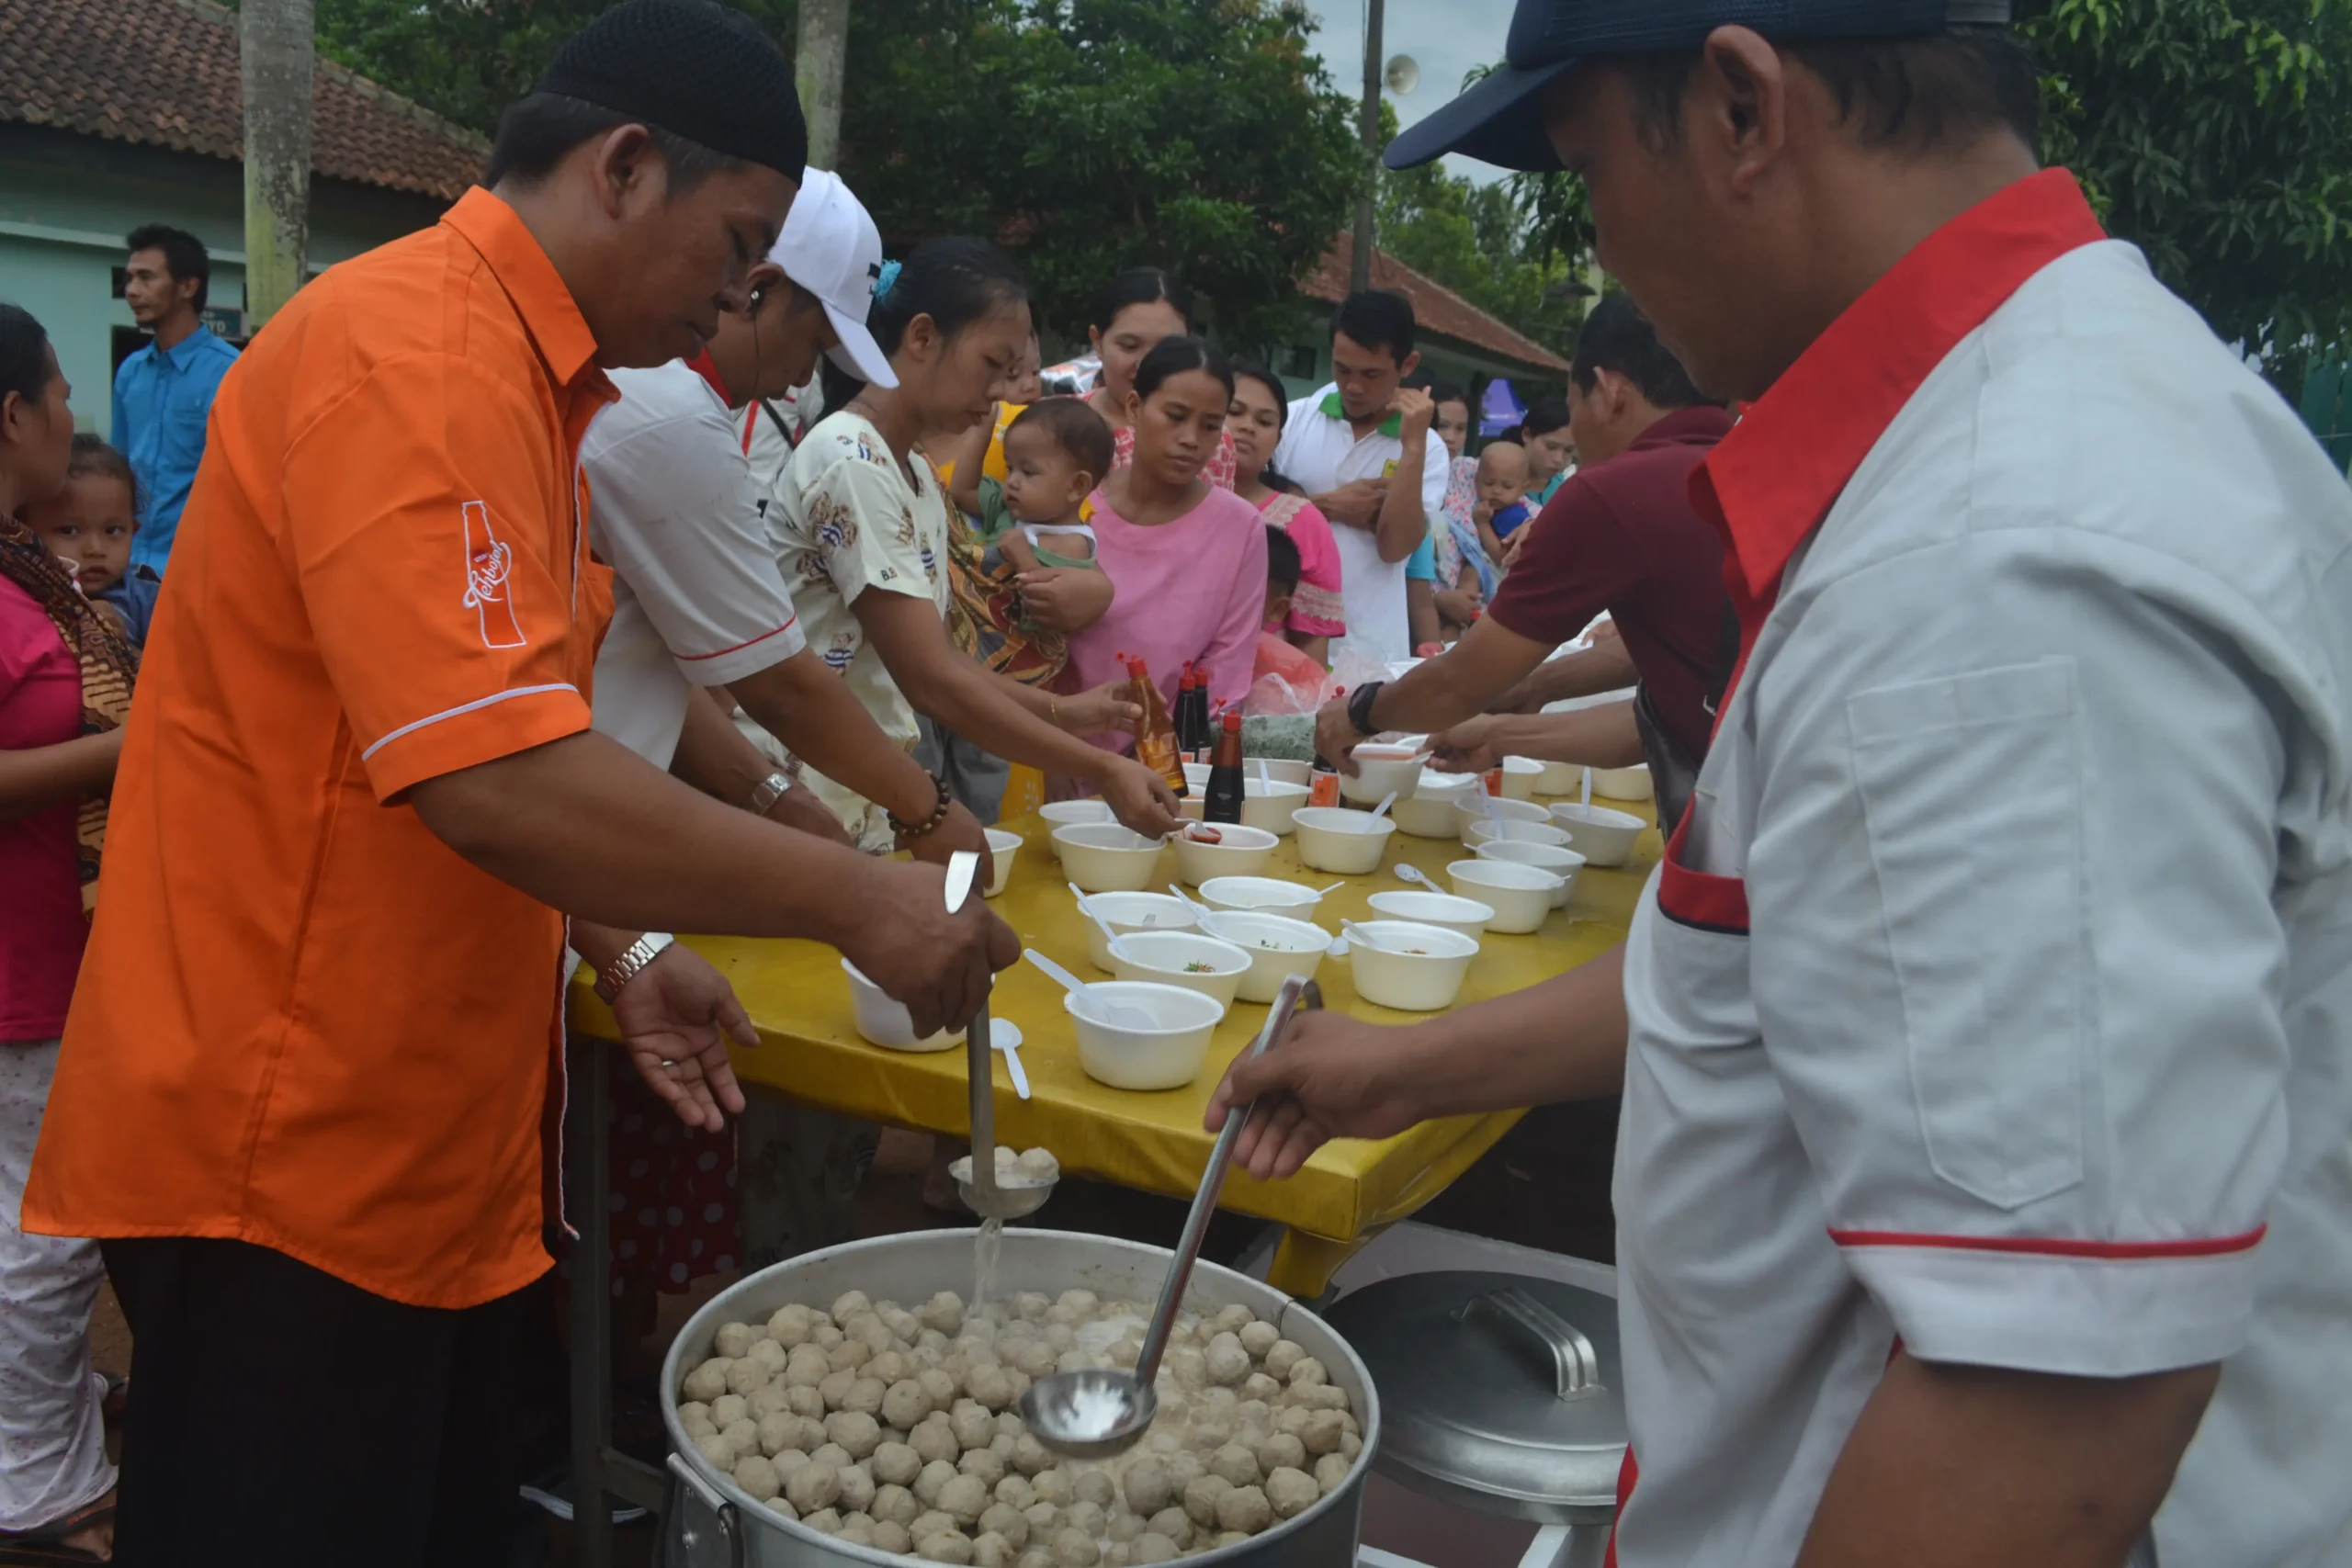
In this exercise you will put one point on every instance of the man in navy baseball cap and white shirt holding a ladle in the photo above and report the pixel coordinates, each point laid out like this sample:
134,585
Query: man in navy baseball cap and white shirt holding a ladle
1984,1031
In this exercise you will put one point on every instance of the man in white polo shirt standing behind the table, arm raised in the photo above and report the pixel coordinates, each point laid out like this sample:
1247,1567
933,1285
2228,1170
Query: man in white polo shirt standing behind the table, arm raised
1358,448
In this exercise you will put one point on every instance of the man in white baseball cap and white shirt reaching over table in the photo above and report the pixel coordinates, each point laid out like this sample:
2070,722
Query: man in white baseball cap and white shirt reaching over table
700,601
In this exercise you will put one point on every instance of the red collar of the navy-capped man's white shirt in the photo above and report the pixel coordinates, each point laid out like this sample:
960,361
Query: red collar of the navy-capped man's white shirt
1772,481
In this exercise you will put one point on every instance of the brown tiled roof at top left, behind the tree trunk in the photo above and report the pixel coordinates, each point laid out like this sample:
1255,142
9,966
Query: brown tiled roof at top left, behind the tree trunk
166,74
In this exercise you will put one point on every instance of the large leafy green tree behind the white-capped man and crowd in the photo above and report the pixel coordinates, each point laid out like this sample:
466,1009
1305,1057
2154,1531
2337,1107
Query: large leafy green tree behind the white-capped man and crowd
1083,135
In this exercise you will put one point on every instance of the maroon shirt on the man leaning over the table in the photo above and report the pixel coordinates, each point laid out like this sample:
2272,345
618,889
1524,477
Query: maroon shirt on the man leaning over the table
1622,537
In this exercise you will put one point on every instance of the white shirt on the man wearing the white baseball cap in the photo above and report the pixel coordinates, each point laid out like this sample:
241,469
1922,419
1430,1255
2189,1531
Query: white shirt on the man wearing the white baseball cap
697,594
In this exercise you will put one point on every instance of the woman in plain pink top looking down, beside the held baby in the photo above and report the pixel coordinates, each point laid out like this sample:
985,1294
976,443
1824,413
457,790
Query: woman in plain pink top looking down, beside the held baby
1187,558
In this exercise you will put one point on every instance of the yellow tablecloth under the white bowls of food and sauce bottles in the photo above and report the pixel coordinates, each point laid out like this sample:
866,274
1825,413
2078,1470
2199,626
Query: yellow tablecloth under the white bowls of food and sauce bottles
1349,1191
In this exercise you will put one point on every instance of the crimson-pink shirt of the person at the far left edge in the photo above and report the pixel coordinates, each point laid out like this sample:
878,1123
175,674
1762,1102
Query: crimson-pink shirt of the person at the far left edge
41,918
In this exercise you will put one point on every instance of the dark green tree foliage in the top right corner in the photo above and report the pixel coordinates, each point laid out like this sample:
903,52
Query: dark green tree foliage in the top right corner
2217,135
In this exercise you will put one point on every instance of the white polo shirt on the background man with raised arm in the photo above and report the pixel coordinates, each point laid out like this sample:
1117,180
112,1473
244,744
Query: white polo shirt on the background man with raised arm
1321,453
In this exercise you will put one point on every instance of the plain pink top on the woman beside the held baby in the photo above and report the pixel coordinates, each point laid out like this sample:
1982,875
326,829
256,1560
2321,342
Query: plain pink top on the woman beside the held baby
1187,591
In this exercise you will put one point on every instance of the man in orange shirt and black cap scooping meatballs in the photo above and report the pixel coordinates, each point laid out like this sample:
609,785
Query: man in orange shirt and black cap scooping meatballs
314,1071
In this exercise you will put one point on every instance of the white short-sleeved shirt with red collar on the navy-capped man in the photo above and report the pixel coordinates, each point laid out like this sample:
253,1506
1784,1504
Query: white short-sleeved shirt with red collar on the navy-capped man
1996,996
